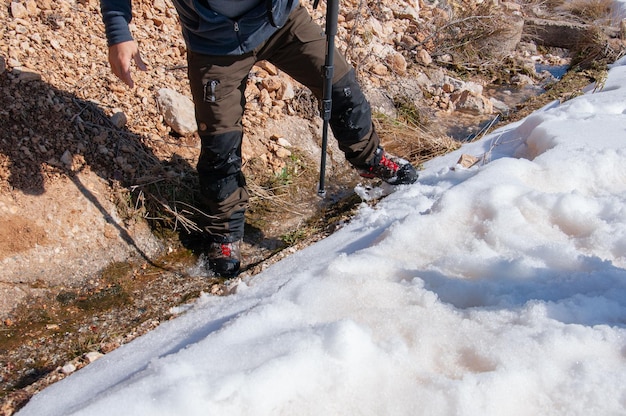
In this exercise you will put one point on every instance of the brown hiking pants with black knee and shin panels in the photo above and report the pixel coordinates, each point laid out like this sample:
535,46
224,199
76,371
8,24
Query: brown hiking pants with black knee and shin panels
218,85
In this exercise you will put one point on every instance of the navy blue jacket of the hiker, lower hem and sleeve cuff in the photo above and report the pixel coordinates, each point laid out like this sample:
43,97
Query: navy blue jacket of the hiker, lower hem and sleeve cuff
204,30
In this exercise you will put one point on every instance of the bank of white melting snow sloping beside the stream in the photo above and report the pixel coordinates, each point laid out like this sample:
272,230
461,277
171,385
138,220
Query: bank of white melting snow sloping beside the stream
494,290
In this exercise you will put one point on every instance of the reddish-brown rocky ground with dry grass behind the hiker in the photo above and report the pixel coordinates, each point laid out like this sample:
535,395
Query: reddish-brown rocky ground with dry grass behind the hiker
97,234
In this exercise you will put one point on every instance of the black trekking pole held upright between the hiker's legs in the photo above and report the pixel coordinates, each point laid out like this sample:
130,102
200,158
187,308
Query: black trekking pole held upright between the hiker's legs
332,13
